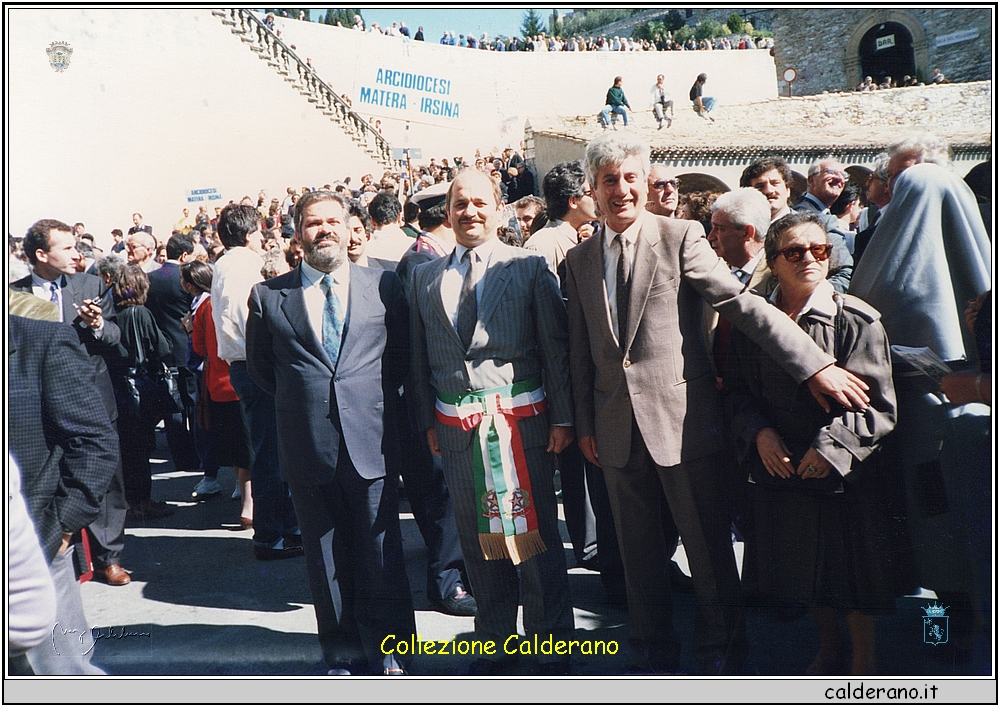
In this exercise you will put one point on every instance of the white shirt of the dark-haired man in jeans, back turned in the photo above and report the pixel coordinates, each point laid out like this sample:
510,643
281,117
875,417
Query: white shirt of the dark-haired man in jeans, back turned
236,272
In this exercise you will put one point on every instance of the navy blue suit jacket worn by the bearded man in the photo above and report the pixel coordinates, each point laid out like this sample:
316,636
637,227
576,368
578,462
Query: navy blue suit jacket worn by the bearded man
320,406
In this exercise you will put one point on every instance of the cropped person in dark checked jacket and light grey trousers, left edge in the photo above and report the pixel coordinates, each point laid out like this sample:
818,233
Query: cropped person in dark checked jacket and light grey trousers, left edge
63,441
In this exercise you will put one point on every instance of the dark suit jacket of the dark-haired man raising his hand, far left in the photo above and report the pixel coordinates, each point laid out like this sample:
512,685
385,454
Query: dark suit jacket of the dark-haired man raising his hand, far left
77,288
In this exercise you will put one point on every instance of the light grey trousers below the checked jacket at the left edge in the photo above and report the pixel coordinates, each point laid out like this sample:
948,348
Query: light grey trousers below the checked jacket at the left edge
71,645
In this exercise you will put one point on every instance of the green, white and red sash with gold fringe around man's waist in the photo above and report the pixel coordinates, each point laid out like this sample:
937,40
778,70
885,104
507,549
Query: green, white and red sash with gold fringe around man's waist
508,524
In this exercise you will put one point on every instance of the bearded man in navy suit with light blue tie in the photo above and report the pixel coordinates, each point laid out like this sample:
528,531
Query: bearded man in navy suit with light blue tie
329,341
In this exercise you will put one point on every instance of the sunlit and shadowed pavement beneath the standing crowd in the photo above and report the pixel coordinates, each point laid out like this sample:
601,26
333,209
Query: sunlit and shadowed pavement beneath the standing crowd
207,607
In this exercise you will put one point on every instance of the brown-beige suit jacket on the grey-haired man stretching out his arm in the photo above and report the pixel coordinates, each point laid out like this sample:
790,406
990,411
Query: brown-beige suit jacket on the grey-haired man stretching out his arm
665,378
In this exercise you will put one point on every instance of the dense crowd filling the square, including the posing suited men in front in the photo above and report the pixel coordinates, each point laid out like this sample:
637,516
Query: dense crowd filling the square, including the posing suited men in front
686,380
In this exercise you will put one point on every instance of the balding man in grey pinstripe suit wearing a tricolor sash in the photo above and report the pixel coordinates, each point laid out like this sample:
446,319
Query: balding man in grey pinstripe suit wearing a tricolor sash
488,323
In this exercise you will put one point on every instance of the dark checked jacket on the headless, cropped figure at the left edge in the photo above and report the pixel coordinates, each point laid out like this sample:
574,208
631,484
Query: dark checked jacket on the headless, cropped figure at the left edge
59,432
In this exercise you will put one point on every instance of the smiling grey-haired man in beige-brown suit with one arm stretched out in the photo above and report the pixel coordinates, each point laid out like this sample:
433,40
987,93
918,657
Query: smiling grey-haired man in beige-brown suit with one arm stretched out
646,403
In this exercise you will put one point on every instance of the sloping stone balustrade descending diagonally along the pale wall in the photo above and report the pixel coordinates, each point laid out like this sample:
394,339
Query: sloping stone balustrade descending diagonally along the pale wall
269,47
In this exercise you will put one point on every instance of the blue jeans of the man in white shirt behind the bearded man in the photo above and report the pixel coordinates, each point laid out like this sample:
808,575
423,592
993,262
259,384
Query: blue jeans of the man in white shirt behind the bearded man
273,512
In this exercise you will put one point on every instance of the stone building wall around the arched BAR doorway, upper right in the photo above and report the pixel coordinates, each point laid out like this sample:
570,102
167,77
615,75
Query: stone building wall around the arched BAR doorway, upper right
823,45
